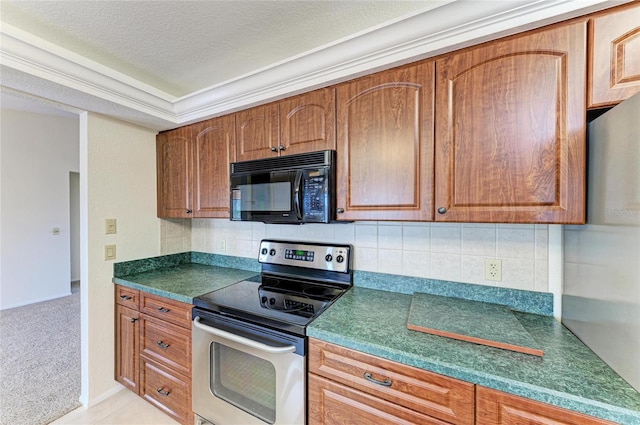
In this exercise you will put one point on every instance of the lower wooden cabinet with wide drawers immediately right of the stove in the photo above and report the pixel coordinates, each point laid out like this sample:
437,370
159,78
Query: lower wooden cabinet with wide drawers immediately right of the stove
349,387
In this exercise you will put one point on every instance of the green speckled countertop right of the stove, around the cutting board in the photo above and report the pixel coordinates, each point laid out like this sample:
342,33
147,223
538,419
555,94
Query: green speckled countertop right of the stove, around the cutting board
569,375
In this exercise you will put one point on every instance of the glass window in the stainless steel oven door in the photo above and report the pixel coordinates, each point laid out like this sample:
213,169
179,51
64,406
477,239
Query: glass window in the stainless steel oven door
246,381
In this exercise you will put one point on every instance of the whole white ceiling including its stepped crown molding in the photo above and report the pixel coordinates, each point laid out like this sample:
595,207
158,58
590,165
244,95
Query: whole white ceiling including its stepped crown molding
162,64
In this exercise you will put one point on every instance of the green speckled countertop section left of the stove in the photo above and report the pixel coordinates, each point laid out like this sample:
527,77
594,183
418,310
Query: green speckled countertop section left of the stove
183,282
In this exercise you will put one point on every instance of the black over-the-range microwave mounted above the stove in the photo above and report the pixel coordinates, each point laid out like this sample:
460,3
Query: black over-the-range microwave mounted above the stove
292,189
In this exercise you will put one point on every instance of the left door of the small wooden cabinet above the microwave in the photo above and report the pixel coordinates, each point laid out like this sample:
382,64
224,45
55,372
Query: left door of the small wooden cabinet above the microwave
257,132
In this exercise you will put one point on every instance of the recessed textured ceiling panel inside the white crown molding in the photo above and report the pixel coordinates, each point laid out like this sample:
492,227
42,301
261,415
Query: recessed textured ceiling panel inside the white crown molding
181,47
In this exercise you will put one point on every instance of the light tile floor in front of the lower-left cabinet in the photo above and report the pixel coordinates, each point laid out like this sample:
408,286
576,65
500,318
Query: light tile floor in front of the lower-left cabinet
123,408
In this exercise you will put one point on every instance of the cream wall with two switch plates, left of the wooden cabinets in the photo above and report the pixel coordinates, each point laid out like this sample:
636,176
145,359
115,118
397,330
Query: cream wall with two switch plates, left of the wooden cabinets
117,180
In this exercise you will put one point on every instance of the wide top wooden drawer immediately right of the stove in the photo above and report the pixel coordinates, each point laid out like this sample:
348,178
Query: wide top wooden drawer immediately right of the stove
432,394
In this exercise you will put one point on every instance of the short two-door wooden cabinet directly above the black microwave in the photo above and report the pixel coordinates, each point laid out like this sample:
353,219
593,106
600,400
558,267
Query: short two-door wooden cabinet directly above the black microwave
303,123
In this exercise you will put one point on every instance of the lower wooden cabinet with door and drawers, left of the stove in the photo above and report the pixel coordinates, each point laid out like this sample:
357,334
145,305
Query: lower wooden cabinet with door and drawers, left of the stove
153,350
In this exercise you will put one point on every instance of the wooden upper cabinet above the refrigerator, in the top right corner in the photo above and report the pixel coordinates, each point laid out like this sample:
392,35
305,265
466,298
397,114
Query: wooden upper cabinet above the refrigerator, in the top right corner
614,66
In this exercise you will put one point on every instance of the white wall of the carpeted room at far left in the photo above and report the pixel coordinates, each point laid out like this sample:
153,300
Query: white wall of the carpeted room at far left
38,152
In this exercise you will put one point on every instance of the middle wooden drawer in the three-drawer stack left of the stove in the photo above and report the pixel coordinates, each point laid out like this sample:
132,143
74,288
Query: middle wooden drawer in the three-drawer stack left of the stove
166,343
